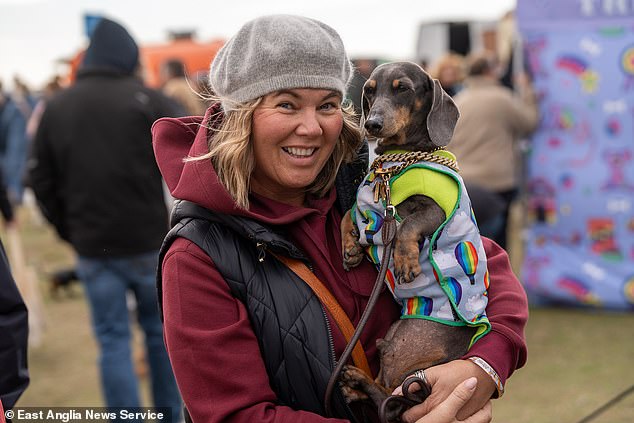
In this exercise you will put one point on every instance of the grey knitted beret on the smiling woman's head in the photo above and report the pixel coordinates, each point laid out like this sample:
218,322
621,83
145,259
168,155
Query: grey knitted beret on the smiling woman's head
278,52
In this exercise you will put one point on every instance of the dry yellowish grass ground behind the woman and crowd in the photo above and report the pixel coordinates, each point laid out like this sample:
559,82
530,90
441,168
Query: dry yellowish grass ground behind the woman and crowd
578,360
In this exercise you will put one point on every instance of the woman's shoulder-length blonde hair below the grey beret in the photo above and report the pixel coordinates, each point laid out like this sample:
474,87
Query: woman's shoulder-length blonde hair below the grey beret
231,151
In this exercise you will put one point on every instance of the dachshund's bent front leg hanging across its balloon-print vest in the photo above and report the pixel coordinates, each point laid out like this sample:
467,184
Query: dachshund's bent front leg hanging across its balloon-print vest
421,216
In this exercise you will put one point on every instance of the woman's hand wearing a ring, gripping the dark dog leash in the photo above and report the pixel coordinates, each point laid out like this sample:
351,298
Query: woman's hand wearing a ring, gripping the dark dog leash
444,380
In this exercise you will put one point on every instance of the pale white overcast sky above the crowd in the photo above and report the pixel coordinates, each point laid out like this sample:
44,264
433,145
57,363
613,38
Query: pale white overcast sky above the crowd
36,34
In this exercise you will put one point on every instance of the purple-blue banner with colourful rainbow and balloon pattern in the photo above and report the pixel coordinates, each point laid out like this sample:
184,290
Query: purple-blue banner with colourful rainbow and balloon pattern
580,171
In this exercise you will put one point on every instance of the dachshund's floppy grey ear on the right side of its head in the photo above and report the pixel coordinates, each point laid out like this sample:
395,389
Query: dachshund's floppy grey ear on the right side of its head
442,117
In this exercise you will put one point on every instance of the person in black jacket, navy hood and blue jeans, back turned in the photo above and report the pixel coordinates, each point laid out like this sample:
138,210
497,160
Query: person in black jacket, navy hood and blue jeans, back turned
93,172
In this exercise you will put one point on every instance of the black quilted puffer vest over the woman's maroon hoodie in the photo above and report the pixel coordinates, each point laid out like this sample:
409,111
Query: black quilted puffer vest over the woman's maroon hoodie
282,308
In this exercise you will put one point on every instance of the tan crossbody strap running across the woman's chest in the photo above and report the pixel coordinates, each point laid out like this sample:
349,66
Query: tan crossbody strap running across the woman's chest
341,319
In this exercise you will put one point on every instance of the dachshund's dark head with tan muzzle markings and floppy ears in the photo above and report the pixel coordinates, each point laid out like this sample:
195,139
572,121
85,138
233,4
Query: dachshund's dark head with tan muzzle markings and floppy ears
404,108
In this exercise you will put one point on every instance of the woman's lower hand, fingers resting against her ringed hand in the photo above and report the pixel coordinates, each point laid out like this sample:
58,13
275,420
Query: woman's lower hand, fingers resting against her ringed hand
446,411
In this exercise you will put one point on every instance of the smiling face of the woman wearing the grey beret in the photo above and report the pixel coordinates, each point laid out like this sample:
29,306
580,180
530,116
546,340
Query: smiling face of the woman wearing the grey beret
294,134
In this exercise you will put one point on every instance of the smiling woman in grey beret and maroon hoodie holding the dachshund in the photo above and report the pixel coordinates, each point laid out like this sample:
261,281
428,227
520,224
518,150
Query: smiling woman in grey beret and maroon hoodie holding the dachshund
247,339
